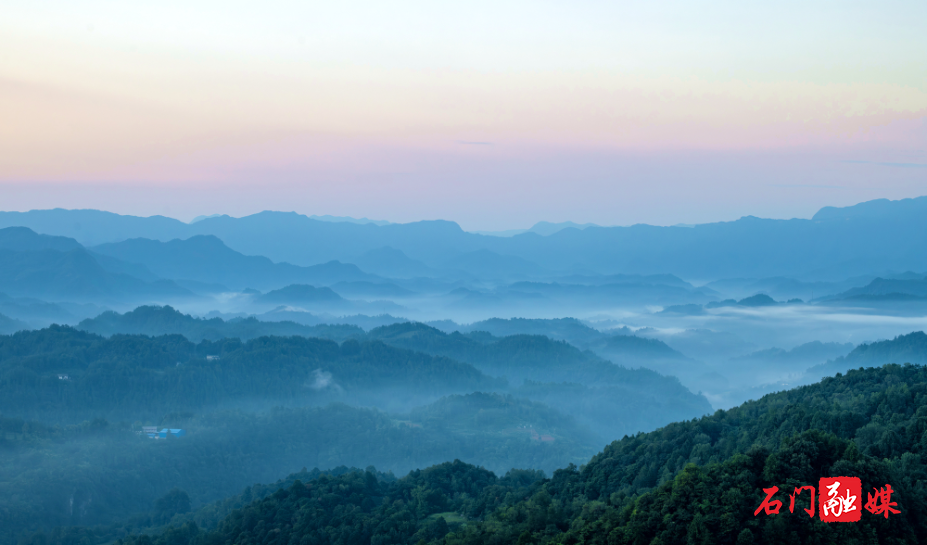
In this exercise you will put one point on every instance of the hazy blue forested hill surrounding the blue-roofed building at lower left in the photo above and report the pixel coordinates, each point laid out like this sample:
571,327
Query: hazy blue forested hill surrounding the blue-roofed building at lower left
97,472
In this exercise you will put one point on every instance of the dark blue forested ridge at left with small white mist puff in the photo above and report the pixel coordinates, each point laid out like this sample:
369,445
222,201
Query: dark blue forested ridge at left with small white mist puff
62,374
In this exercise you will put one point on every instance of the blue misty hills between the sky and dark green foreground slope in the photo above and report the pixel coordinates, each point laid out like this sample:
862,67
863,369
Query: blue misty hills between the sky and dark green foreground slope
151,369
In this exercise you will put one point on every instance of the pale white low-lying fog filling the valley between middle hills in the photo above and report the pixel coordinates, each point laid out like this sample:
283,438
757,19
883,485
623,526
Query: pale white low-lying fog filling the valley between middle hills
725,345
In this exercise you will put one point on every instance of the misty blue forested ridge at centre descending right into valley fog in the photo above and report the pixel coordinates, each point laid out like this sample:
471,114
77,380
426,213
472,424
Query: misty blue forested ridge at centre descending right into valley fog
611,399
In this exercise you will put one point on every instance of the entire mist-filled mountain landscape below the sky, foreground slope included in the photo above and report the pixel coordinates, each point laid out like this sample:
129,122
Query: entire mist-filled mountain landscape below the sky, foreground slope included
187,383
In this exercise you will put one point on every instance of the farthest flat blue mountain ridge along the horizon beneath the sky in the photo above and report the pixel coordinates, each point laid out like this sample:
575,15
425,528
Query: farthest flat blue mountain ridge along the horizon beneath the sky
872,236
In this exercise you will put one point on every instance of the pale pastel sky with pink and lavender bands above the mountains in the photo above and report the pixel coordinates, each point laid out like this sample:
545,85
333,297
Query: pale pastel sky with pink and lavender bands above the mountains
492,114
